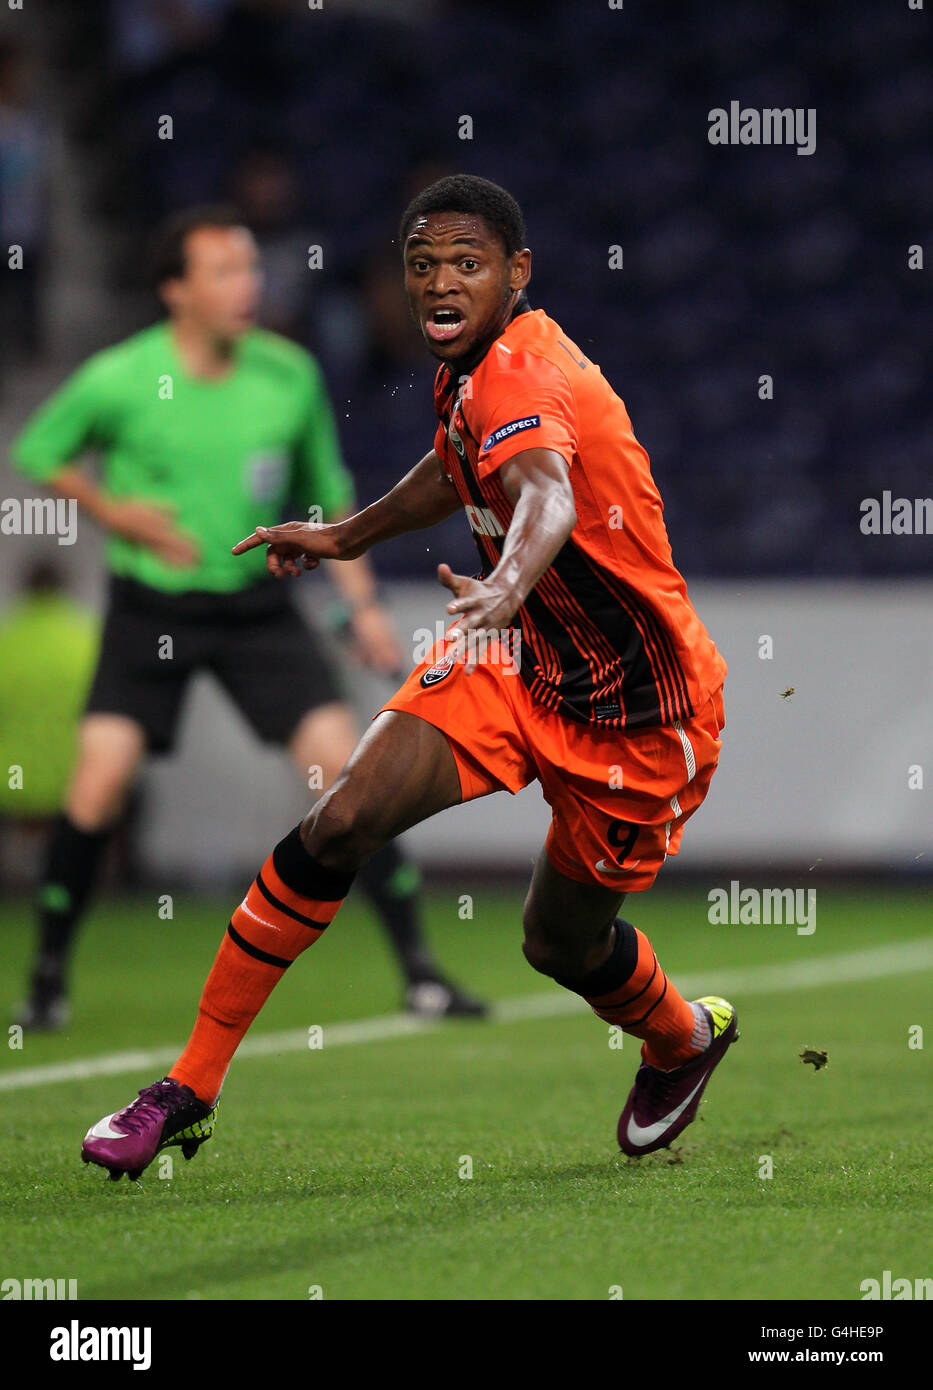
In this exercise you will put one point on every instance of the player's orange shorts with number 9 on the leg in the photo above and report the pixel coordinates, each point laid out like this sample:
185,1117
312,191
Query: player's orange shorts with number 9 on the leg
621,800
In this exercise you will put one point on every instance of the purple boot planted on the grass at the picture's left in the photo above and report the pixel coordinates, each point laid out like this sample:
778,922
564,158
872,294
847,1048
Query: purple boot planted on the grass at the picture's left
162,1115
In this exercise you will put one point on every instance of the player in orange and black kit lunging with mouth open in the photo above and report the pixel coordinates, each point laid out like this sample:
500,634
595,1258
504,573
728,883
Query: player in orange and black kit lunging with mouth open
610,693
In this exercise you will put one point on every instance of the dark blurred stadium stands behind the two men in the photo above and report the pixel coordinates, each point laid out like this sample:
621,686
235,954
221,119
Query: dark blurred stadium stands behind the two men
736,261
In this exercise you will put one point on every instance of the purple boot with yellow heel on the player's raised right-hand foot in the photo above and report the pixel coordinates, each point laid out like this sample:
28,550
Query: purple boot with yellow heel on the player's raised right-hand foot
663,1104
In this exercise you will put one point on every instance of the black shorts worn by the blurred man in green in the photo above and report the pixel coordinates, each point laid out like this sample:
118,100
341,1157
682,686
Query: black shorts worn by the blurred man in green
254,641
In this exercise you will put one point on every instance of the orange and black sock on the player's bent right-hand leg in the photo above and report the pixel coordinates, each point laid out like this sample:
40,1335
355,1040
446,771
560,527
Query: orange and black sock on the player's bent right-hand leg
632,992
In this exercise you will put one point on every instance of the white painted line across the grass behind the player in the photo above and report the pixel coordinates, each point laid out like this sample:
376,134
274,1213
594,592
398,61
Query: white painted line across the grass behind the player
767,979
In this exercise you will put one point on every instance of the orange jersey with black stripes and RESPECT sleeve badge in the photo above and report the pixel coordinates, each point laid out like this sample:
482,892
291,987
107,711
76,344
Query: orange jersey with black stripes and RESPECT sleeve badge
608,633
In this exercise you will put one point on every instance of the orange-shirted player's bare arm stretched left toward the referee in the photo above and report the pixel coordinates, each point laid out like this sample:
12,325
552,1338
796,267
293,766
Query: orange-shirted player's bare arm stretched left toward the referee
423,498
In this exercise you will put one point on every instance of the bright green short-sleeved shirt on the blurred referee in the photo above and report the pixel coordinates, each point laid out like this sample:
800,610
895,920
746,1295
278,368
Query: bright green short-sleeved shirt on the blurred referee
227,455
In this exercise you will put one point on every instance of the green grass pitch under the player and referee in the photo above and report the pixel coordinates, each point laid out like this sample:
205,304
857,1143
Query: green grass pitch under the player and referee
340,1168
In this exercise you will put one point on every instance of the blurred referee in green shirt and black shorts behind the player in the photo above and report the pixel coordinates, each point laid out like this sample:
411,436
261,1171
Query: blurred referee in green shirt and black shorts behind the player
204,423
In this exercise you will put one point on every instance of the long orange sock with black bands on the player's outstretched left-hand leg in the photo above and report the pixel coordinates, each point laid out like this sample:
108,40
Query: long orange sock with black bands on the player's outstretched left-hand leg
289,907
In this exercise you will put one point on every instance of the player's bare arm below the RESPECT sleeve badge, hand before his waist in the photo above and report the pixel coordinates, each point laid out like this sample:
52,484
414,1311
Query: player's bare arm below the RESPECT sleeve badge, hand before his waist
544,516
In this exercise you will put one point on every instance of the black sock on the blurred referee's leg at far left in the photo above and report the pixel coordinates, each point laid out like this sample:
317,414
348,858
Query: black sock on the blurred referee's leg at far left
72,867
